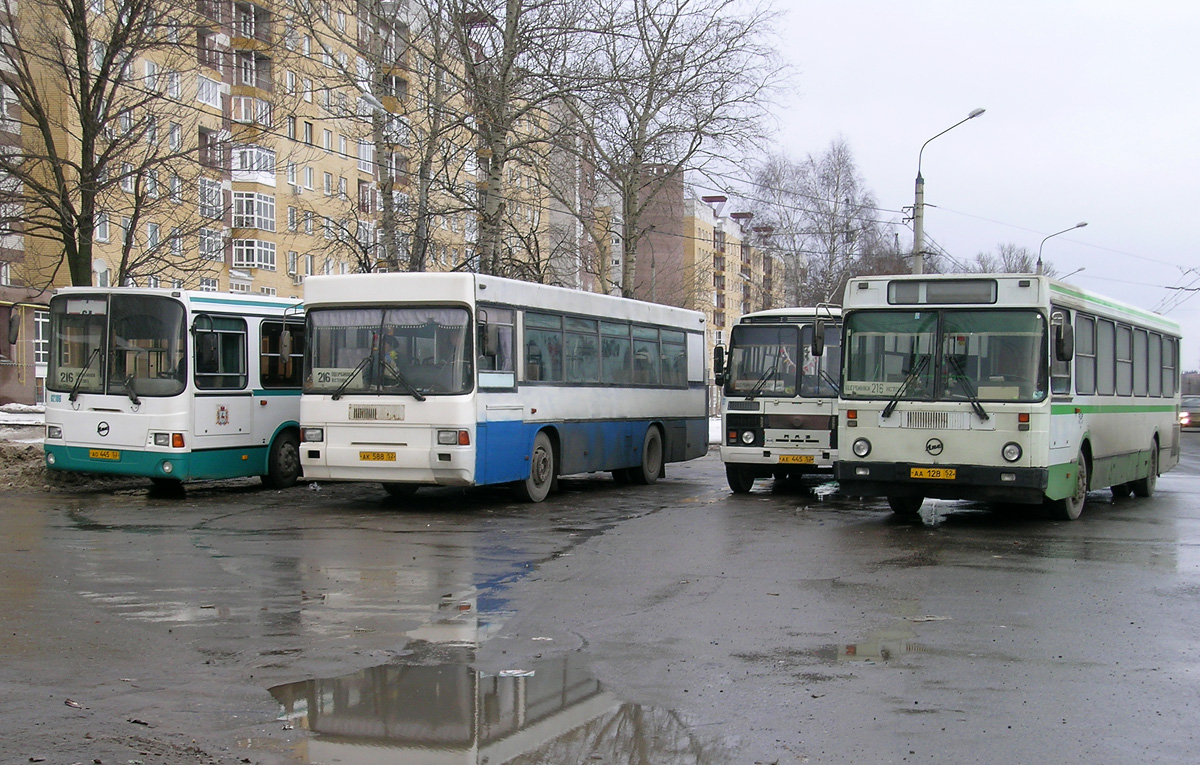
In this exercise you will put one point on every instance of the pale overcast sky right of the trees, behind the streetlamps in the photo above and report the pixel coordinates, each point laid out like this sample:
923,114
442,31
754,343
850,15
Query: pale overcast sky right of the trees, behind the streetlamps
1093,115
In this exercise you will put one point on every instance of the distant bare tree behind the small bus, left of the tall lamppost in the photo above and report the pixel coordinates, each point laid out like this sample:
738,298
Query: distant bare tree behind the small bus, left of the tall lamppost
825,224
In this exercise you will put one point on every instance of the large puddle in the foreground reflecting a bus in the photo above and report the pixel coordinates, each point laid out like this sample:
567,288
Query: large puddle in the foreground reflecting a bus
440,709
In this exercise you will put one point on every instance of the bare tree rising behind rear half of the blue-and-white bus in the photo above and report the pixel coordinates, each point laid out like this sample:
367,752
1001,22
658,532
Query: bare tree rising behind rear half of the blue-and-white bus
667,87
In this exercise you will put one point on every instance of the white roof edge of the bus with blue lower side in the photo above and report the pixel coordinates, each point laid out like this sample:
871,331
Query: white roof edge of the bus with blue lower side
471,288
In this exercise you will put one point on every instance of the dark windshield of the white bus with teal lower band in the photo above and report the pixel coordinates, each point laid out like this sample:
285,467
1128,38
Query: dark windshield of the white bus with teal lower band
125,345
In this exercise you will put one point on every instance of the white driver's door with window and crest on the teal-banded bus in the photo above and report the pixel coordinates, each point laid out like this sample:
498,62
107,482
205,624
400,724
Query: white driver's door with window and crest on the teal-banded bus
224,402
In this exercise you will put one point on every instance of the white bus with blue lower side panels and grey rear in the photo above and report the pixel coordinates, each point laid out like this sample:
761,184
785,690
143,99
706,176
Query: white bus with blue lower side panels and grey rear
460,380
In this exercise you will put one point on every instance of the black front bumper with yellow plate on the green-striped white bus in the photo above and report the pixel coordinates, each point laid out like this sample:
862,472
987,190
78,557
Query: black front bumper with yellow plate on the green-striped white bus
983,484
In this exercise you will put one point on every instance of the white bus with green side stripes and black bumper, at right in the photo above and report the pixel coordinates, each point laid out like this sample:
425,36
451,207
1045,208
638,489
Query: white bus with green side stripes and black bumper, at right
1003,388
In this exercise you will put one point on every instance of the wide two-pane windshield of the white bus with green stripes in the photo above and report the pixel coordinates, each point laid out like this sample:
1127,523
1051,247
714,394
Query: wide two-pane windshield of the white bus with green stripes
946,356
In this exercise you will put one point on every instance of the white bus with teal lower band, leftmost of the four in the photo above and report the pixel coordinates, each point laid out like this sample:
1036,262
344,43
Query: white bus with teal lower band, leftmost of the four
175,385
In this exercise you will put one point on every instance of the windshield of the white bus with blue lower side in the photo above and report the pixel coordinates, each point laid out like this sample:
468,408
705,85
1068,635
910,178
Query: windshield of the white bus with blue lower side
403,352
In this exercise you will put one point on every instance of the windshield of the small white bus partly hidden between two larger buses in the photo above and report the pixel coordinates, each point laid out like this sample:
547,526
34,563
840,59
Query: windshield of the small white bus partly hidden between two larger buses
778,362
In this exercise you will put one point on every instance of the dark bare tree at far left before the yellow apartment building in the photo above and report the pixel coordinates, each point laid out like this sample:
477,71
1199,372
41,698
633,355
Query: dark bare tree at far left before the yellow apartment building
107,141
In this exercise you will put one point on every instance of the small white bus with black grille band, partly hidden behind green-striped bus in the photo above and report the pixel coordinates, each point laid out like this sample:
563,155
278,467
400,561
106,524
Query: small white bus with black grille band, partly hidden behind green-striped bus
779,389
